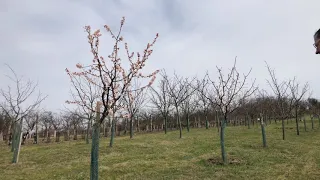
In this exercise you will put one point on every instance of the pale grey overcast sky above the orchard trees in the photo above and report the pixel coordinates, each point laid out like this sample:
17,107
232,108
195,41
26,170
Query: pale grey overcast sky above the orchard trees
40,38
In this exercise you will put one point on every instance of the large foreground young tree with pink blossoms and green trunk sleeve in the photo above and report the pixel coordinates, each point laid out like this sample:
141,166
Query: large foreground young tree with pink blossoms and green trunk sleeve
111,78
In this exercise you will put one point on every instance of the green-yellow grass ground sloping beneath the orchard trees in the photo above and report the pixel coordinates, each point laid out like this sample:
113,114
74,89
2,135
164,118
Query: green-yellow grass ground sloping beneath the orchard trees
159,156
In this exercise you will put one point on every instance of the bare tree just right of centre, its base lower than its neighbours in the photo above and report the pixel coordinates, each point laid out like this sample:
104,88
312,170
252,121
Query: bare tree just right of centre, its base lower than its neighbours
179,90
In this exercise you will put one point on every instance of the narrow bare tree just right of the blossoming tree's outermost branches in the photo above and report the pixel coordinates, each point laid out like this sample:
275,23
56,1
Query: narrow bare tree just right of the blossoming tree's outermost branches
161,99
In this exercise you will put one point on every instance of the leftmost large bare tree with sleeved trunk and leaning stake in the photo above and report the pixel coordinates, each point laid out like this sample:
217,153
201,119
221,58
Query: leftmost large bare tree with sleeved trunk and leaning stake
18,105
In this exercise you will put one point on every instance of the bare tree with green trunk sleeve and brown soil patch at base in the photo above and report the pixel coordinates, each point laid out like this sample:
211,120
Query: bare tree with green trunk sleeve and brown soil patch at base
230,91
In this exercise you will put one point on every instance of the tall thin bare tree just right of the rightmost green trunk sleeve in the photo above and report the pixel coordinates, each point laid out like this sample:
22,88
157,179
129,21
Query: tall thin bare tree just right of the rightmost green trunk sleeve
284,103
